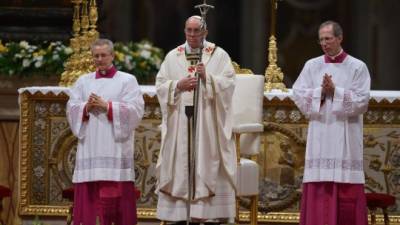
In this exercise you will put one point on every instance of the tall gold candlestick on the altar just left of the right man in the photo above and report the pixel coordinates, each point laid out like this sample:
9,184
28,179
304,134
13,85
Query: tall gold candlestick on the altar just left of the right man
273,74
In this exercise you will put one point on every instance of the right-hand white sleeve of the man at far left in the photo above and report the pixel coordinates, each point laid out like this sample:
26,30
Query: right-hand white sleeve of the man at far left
128,112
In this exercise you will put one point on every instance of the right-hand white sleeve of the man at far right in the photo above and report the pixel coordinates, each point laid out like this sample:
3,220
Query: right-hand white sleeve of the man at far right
354,100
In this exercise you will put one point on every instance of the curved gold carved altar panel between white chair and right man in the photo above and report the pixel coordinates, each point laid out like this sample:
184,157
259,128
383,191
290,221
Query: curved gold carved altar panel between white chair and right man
281,160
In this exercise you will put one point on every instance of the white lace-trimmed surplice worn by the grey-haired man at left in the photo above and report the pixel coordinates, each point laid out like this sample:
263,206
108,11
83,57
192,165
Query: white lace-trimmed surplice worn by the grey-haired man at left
105,148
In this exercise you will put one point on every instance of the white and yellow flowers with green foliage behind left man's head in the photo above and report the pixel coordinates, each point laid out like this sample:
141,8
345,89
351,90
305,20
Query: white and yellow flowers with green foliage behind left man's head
23,59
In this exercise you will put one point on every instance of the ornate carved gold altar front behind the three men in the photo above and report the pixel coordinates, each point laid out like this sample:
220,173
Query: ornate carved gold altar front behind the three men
47,149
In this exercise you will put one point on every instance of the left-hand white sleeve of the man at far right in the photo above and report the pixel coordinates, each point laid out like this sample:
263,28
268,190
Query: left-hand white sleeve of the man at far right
307,97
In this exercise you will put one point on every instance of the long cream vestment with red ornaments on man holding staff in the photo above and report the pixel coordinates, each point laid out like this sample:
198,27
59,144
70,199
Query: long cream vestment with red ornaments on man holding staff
215,176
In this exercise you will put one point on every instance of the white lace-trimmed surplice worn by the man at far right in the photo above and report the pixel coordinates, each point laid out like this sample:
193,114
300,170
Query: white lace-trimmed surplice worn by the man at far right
334,149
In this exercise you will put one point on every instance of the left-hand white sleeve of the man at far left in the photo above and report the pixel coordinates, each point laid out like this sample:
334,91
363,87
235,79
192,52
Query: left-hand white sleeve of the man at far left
75,108
